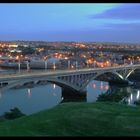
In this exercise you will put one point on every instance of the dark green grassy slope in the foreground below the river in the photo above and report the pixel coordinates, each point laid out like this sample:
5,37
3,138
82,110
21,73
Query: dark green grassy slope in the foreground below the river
77,119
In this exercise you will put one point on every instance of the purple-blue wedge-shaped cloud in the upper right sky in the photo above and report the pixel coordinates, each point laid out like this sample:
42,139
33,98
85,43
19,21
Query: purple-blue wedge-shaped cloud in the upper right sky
123,12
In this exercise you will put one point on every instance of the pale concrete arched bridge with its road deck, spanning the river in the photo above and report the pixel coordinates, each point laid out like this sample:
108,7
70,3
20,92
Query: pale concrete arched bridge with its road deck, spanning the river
75,80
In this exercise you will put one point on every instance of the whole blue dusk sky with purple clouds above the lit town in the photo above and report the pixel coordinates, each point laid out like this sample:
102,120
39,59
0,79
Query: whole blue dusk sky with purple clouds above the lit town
103,22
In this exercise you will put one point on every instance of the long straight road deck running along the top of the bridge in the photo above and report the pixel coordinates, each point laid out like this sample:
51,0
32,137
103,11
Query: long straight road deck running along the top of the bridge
26,75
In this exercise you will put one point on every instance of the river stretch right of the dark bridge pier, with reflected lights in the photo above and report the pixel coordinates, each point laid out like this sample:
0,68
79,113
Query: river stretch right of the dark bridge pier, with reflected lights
95,88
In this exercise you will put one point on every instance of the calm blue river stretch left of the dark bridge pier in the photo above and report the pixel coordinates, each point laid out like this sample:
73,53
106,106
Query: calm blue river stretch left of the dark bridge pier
41,97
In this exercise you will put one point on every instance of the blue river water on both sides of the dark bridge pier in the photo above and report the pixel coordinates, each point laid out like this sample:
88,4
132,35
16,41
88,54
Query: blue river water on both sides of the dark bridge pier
37,98
